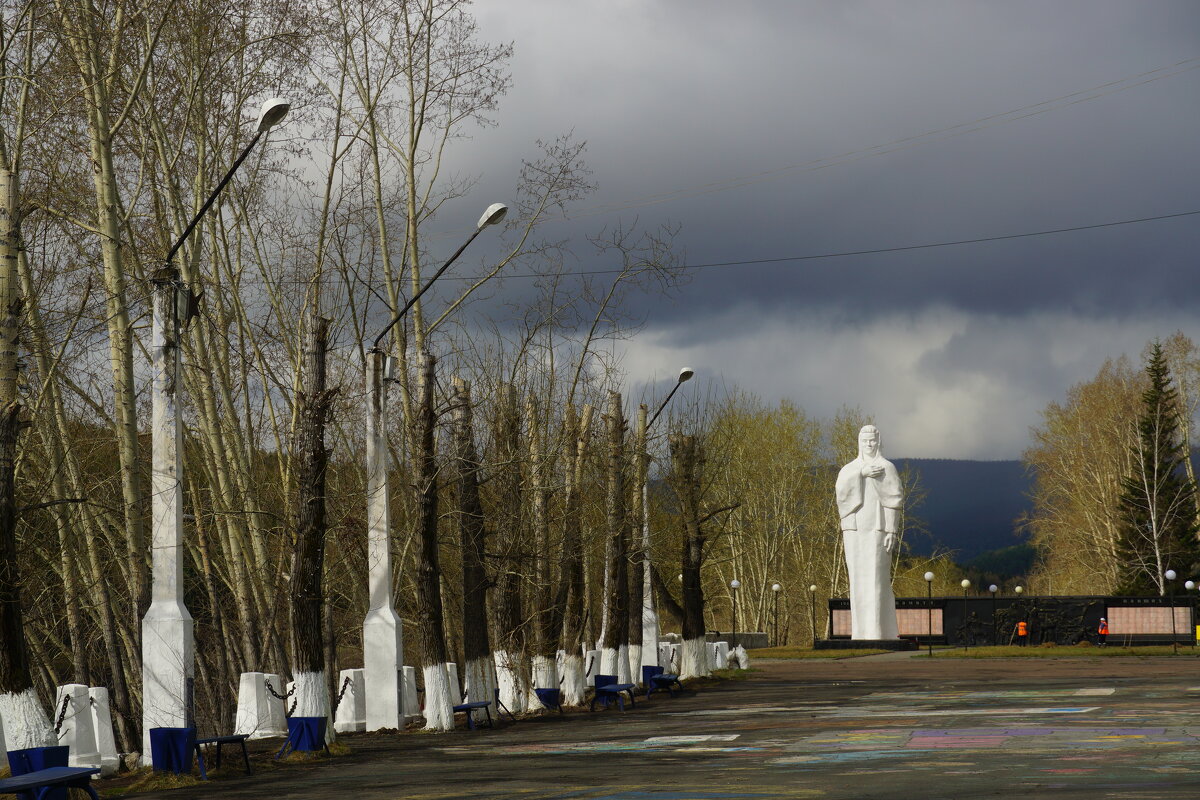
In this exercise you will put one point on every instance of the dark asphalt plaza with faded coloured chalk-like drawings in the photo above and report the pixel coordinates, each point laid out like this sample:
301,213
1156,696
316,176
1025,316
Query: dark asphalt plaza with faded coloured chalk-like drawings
871,727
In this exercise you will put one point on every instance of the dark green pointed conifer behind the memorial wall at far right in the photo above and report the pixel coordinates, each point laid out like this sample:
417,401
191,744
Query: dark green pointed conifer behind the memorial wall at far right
1159,518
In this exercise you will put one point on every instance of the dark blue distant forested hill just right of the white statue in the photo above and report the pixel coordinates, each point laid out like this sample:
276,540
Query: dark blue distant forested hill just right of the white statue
970,506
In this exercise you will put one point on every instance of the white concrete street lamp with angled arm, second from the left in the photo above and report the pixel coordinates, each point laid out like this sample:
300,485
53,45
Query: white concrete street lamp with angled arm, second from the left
383,642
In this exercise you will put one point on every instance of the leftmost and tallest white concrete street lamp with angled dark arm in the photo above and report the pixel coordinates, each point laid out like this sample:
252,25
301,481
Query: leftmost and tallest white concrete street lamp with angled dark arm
167,640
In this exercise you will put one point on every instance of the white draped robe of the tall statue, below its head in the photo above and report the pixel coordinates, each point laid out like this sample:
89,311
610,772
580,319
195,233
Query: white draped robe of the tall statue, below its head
861,506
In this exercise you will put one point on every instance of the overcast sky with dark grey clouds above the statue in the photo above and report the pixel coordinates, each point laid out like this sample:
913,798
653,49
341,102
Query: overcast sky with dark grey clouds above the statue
779,130
